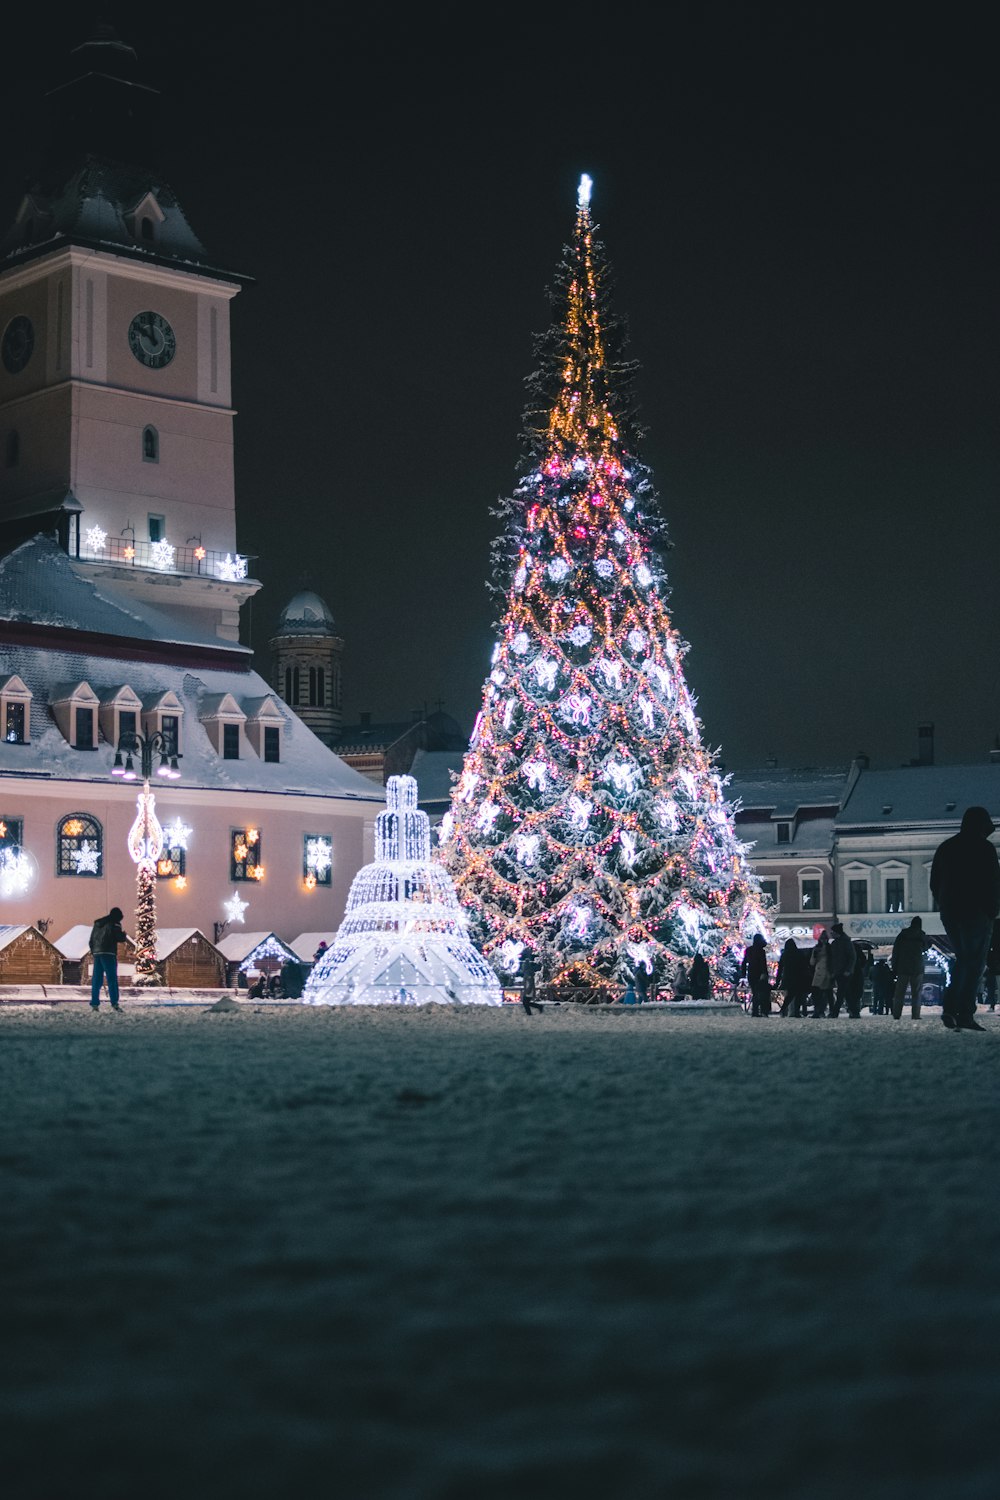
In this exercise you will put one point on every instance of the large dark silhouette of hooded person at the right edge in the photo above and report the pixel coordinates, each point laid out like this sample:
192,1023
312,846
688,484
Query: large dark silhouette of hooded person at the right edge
966,886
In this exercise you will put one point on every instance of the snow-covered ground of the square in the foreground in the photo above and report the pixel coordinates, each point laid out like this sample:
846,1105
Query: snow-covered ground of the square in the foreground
440,1255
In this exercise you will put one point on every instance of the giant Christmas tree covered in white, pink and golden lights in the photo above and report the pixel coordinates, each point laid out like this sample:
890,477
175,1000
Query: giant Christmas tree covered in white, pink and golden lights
590,823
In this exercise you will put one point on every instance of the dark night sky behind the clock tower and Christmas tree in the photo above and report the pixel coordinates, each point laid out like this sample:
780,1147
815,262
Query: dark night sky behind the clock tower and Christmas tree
800,208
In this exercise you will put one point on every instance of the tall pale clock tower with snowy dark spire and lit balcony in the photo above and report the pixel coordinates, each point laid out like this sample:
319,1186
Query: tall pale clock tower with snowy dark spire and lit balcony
116,404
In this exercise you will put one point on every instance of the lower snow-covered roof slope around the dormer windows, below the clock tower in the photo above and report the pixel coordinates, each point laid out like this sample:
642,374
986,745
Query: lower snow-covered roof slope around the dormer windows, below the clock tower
307,766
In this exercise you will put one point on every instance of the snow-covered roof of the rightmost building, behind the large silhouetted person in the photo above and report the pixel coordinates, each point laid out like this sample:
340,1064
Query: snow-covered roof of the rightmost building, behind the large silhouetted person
921,794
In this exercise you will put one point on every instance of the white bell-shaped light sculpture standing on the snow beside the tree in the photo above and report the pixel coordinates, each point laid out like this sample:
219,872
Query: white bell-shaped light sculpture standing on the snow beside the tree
403,940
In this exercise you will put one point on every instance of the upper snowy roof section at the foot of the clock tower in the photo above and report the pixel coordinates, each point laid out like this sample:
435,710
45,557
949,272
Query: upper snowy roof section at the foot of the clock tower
40,587
